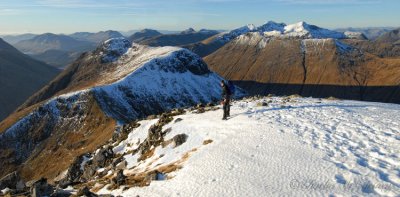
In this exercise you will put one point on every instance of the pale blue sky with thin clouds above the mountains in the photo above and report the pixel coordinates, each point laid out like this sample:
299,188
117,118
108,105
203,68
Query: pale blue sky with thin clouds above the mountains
67,16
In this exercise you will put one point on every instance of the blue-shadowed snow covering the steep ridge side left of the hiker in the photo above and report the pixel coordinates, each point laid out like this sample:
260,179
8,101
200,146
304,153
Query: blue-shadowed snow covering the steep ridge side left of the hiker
163,78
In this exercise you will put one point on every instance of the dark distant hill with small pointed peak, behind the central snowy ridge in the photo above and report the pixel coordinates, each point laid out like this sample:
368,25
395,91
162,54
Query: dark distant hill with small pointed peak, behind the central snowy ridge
184,38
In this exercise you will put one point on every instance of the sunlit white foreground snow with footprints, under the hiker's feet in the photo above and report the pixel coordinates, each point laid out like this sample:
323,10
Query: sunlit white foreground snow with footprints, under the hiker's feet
292,147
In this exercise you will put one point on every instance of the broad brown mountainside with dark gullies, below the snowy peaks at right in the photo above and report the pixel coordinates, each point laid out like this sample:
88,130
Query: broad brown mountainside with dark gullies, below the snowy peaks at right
311,67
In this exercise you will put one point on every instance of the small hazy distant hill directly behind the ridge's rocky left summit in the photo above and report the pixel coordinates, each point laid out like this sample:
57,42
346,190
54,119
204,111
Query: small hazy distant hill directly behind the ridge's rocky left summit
96,38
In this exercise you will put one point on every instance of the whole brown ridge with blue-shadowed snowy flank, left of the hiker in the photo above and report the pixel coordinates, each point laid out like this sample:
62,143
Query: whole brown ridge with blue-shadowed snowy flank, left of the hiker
78,111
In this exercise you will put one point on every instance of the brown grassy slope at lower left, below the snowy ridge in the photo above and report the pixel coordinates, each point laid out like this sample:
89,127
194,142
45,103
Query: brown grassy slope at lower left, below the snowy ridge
78,132
